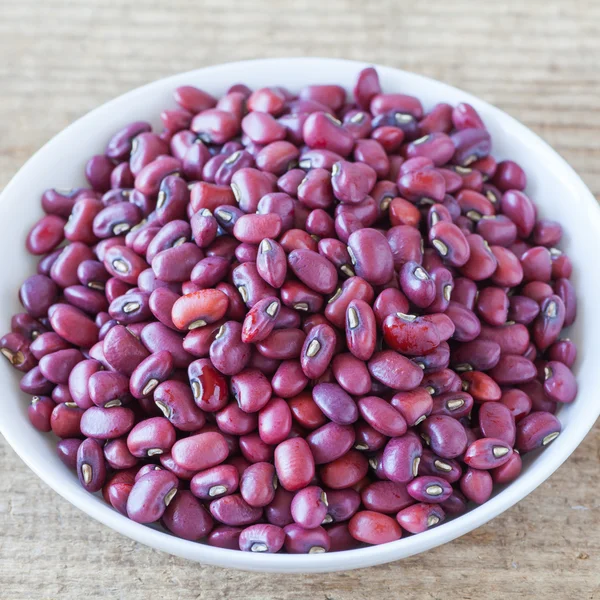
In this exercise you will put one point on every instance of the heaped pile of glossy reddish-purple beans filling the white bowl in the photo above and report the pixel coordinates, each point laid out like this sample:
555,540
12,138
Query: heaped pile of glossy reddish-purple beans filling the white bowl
296,322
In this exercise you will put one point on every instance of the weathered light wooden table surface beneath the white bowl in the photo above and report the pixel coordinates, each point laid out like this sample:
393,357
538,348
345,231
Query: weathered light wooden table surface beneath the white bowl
536,59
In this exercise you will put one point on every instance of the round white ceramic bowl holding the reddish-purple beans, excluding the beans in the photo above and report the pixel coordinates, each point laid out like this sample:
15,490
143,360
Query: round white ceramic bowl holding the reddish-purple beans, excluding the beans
554,186
